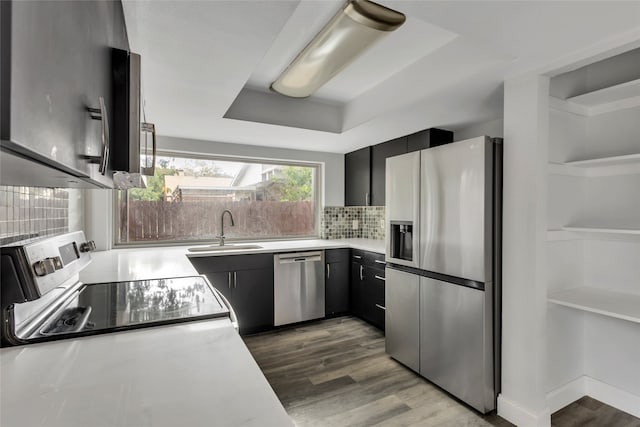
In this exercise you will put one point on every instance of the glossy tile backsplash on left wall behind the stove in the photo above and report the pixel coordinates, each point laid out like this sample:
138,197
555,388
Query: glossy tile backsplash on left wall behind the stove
27,212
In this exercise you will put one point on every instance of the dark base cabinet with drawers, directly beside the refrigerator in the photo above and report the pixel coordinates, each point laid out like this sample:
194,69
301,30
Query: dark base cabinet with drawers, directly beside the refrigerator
367,287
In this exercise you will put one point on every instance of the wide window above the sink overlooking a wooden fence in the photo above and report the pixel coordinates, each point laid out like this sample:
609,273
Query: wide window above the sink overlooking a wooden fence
185,199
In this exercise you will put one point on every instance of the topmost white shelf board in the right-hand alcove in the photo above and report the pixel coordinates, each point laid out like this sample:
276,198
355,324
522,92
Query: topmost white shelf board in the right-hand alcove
624,95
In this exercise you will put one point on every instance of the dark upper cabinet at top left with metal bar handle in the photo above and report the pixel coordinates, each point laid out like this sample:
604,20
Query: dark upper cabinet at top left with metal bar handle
56,63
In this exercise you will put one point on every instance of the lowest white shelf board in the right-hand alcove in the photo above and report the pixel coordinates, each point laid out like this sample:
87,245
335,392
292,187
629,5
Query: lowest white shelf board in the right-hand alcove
601,301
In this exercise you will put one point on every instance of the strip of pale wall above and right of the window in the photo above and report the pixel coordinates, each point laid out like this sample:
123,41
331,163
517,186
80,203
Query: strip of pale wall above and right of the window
333,164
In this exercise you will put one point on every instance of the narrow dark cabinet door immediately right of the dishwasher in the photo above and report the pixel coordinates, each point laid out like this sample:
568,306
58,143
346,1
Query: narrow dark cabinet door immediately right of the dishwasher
336,281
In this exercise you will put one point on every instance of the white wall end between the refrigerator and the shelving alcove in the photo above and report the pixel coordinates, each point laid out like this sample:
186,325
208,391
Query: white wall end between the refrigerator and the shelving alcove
524,300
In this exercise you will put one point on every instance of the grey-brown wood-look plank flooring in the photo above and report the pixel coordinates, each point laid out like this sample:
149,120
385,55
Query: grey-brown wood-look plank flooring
336,373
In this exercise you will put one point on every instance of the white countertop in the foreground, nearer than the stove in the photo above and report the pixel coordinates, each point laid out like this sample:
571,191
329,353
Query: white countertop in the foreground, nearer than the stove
192,374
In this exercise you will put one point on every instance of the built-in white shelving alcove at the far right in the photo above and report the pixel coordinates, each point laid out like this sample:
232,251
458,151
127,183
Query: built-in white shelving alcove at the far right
593,236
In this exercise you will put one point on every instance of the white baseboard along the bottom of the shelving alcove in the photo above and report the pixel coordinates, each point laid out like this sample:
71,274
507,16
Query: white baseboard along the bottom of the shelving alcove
587,386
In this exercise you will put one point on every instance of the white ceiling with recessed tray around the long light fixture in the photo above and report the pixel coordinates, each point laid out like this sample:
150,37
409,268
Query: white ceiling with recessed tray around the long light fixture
443,68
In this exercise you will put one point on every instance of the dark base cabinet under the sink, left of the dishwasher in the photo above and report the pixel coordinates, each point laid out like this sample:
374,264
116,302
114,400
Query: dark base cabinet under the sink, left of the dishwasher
247,282
